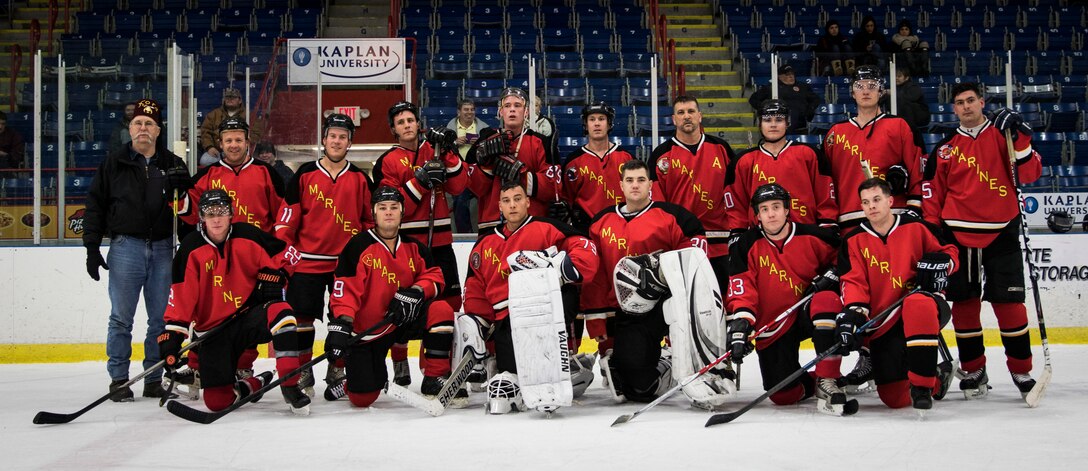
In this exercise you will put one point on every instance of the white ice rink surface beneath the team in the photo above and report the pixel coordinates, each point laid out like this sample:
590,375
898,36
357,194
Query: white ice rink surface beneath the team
996,433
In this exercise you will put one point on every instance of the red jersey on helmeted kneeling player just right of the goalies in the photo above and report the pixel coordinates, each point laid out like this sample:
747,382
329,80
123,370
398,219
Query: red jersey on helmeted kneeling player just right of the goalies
768,277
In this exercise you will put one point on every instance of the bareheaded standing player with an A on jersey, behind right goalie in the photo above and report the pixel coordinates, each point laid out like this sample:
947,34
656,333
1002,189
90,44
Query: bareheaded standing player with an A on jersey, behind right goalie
689,170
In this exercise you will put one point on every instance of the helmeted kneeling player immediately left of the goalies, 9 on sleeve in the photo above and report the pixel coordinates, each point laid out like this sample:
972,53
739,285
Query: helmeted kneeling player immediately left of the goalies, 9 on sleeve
381,275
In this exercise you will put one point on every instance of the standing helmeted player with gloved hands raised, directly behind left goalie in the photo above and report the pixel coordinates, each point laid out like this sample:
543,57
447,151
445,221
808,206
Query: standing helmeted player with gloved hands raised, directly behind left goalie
513,154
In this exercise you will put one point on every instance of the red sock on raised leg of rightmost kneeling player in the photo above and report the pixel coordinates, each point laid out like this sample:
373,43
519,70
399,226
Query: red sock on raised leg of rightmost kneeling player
921,328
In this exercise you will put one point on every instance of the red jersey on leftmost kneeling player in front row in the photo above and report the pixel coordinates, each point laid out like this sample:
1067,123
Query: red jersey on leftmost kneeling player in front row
213,282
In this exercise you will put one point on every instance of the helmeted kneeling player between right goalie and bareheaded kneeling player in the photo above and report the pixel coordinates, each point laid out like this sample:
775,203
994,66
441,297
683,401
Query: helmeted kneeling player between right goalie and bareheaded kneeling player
770,269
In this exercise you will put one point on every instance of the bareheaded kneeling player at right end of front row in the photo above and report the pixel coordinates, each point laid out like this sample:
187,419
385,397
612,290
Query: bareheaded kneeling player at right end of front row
880,263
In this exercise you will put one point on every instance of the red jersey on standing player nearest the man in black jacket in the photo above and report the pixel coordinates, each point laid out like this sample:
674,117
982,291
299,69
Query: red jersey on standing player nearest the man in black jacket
256,189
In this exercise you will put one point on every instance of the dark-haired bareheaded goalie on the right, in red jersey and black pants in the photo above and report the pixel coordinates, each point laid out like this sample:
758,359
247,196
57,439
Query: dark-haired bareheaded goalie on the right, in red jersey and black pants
630,343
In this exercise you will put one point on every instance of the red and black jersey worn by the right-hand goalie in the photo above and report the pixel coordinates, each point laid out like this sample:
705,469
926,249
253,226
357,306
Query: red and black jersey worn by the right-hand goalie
659,227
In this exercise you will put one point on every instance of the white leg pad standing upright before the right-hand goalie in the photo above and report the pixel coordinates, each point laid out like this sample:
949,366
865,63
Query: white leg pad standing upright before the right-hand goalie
697,326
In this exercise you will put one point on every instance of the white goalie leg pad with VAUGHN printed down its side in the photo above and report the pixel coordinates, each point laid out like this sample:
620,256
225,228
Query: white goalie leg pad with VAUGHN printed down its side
539,333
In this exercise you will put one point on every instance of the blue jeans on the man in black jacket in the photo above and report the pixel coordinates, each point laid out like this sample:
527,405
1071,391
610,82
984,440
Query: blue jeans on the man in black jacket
137,265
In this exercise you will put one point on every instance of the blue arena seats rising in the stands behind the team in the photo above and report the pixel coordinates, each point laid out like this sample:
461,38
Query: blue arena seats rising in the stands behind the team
586,51
